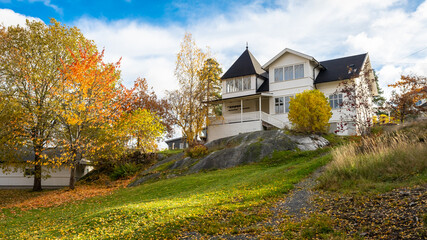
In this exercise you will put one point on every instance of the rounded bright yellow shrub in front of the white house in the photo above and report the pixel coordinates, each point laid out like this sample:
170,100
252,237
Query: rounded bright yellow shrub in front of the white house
310,112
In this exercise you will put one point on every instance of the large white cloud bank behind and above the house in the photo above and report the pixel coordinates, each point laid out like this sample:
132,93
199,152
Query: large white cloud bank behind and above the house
322,29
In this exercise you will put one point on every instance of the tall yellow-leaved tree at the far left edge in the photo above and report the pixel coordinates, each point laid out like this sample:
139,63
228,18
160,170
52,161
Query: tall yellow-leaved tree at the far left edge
30,63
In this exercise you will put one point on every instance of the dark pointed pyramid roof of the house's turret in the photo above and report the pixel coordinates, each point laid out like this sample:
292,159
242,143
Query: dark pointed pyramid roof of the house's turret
246,64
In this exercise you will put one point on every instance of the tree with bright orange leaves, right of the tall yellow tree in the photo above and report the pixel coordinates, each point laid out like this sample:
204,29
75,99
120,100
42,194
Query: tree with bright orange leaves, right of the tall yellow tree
88,91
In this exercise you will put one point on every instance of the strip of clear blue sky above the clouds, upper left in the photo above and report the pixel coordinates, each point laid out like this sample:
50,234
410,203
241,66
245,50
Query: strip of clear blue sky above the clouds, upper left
159,12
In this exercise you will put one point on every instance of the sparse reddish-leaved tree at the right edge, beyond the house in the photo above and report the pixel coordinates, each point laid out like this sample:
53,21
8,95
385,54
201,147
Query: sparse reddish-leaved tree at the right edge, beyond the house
411,89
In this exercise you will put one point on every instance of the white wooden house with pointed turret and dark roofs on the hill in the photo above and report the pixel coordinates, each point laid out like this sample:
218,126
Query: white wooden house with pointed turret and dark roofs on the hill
256,97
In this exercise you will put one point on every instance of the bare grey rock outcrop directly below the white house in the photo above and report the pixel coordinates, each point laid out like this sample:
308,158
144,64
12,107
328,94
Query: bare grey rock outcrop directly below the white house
232,151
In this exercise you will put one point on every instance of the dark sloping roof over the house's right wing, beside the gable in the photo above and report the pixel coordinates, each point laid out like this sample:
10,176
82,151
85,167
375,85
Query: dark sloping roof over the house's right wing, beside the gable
338,69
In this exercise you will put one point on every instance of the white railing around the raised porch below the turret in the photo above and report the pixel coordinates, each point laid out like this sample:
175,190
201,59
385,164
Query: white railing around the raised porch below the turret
247,117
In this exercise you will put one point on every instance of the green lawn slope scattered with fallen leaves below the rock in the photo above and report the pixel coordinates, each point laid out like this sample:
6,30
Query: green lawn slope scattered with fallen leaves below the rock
222,201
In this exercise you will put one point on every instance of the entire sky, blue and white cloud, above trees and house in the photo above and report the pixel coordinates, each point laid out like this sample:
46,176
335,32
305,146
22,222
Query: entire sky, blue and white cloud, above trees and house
147,34
